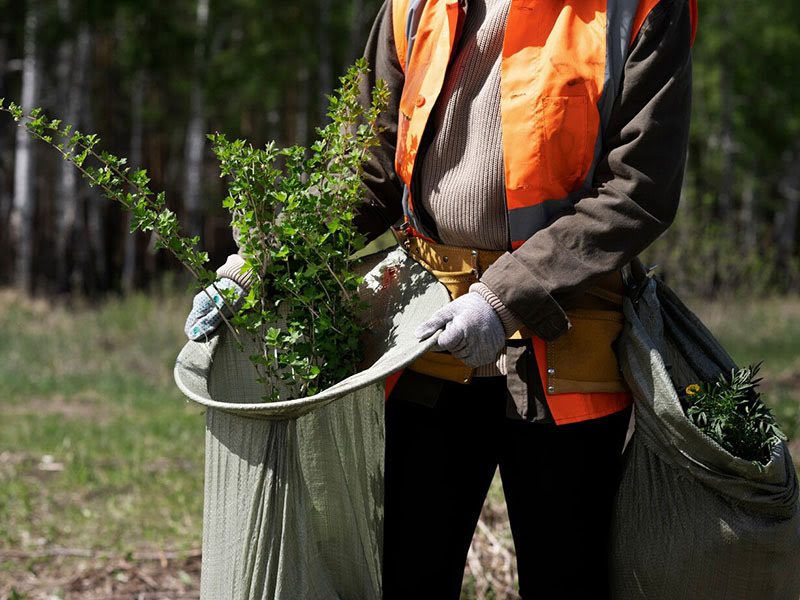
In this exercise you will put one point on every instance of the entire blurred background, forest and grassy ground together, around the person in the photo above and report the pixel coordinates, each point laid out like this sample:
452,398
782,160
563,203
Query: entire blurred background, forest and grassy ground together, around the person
101,460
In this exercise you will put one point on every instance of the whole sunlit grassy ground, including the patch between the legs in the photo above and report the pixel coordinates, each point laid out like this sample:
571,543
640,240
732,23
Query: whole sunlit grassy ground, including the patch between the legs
101,459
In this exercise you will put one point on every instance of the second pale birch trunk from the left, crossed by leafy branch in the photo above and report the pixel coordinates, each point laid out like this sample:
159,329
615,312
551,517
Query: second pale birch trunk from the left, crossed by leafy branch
73,68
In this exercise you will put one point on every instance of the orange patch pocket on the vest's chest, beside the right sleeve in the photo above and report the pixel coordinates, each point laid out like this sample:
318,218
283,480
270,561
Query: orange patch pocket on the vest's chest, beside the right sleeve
565,137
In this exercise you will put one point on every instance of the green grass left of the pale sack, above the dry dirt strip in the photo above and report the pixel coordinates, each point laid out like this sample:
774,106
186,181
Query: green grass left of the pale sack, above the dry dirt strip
98,449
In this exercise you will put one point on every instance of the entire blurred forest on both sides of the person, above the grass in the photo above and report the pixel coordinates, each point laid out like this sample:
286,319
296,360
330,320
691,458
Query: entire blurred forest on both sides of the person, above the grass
153,77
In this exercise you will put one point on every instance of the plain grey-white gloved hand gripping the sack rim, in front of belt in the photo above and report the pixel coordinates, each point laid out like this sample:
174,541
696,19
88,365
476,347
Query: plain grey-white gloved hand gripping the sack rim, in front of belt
472,332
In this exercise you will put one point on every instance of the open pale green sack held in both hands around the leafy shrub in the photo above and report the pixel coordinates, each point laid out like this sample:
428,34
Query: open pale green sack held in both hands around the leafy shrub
293,505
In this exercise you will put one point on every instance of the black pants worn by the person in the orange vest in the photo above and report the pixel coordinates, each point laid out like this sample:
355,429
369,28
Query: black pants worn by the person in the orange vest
558,482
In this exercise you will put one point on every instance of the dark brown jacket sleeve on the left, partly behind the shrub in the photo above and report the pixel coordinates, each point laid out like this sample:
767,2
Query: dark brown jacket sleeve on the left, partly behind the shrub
383,190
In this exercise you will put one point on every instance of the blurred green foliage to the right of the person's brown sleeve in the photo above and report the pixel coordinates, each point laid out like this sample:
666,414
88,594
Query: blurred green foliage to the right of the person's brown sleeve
737,226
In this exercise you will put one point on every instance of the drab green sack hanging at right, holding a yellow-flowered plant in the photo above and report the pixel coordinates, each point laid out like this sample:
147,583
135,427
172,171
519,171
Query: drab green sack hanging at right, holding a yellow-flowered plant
692,521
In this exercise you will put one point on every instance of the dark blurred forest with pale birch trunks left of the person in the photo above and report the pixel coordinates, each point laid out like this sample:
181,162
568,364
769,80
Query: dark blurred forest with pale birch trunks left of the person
152,78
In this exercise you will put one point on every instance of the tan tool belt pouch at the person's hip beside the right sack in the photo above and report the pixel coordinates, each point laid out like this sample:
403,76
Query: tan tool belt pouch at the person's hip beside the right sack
583,360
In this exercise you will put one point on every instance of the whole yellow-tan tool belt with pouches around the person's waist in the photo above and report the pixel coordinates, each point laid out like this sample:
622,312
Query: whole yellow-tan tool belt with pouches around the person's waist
582,360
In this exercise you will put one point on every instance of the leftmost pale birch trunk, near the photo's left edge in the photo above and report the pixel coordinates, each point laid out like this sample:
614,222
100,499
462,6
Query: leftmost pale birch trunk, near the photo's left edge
24,206
